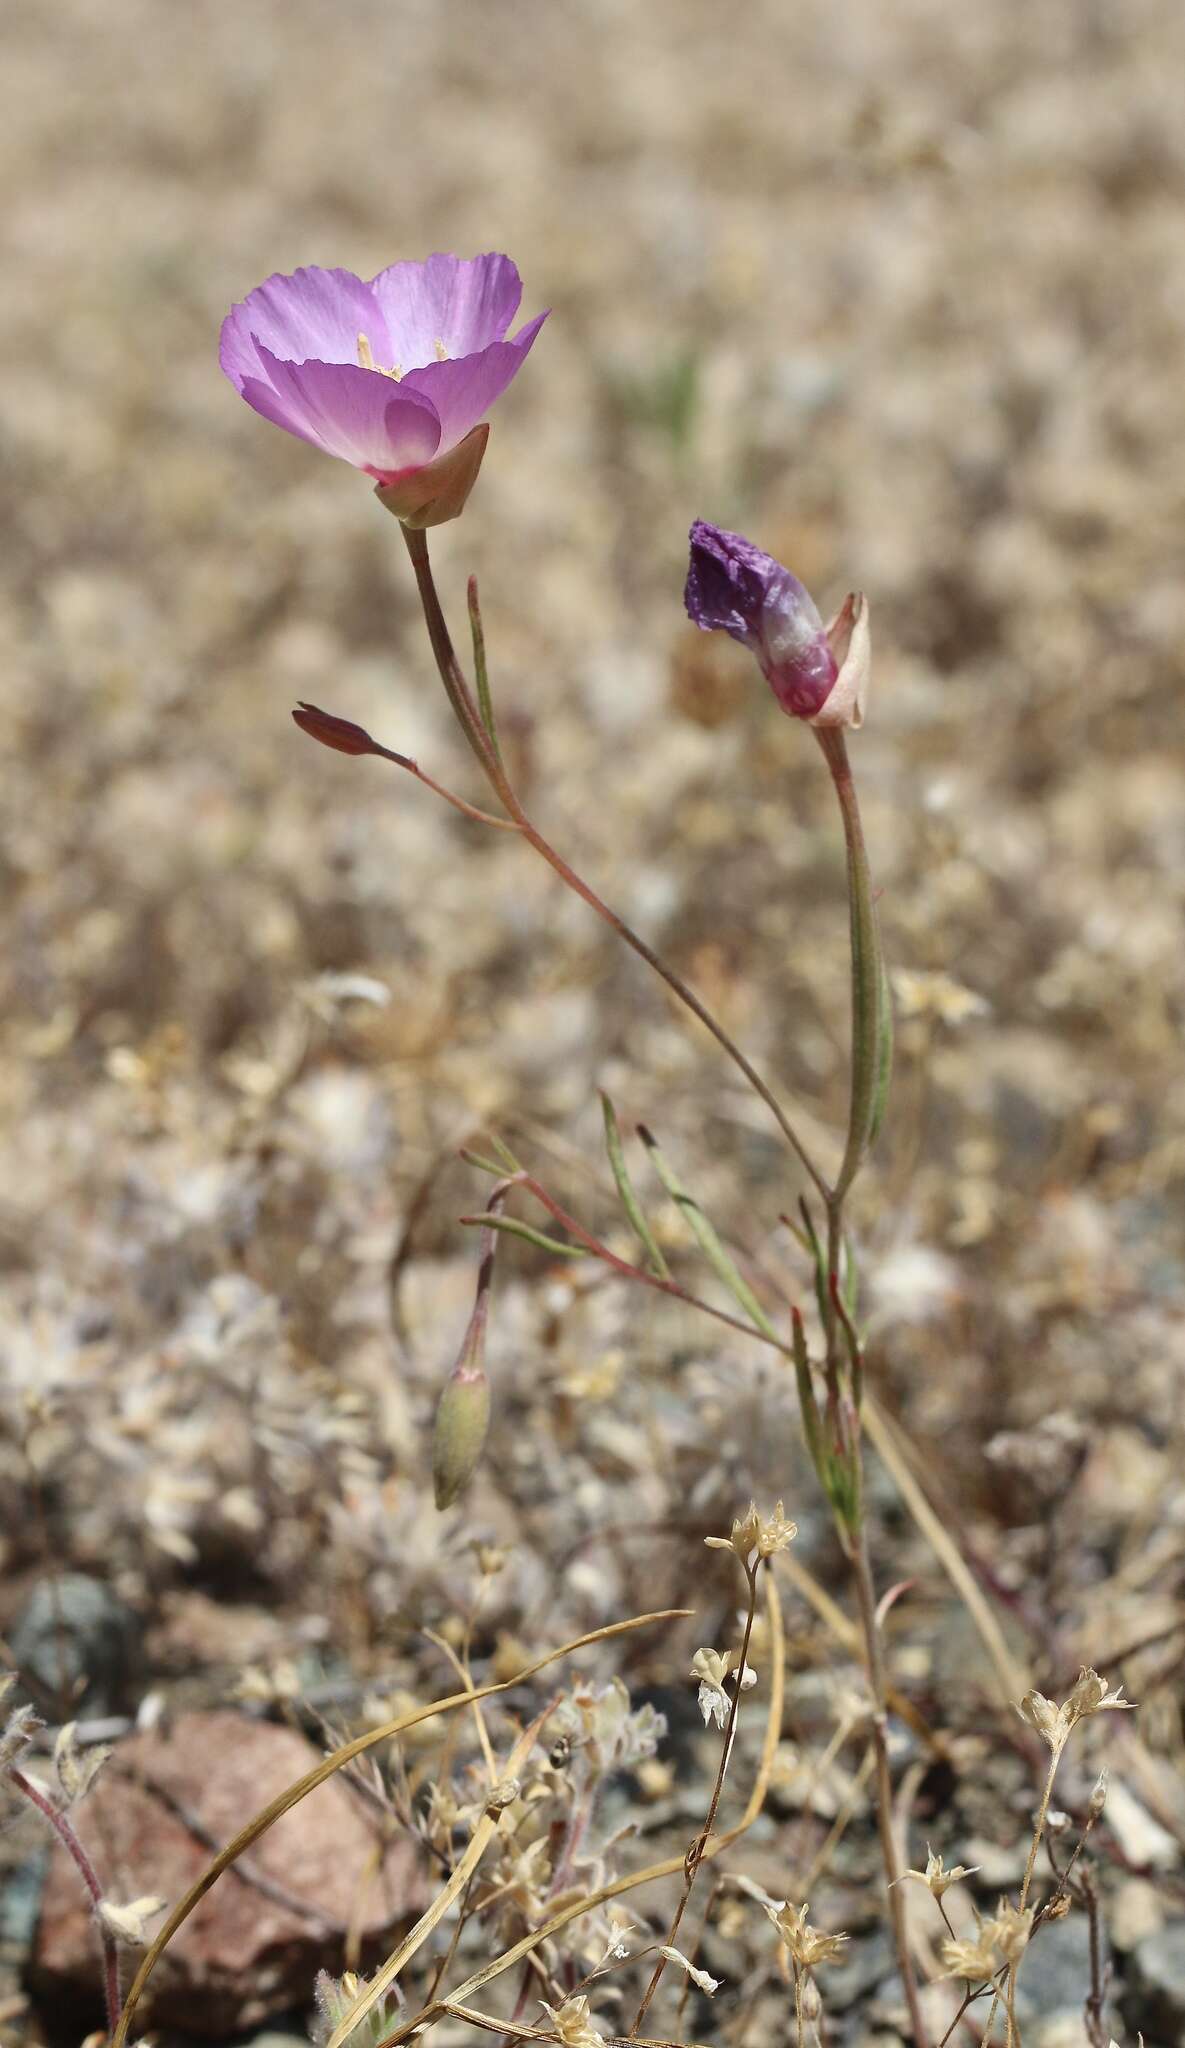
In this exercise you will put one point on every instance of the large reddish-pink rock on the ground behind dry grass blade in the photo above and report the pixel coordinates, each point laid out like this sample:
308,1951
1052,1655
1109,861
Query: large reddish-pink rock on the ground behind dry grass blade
251,1951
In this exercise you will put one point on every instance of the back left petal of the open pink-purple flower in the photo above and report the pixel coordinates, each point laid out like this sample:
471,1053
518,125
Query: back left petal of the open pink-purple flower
310,316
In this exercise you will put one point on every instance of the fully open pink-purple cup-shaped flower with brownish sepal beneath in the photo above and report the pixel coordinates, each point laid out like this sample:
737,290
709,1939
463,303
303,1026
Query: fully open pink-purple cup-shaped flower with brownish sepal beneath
394,376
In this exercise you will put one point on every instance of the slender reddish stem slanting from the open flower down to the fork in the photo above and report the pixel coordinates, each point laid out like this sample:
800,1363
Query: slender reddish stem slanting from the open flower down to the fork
474,730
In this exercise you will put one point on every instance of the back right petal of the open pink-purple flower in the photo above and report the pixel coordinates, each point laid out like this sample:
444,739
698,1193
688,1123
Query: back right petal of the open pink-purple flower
464,302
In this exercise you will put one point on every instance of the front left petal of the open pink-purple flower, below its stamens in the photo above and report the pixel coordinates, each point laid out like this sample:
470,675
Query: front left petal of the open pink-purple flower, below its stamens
357,415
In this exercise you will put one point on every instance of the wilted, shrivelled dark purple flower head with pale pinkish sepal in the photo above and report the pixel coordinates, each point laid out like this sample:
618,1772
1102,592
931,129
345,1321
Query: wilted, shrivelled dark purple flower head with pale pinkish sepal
818,675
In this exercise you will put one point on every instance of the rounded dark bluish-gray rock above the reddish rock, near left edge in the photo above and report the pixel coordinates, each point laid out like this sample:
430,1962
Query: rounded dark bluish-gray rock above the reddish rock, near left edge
77,1644
